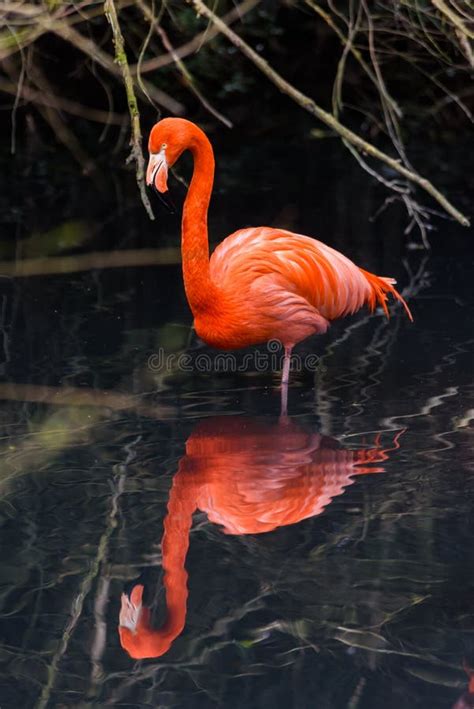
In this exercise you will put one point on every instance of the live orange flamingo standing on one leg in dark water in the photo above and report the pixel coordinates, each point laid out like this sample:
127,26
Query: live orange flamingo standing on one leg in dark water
260,283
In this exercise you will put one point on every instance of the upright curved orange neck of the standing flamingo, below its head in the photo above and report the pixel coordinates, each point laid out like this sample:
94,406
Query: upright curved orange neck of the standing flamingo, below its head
194,235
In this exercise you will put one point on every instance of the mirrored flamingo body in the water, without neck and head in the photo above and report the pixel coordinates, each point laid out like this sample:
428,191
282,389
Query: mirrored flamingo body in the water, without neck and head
251,476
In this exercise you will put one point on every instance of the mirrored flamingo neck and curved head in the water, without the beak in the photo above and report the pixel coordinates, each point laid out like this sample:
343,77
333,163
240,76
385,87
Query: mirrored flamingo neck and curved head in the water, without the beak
143,641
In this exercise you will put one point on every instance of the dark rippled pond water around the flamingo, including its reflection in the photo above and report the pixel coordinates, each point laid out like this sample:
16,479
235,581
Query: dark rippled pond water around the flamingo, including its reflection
293,600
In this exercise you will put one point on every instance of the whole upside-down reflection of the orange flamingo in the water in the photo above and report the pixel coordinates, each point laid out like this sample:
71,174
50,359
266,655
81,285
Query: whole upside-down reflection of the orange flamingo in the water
250,477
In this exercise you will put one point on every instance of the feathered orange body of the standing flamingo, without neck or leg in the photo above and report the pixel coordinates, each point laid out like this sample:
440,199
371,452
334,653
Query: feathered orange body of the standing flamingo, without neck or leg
274,284
